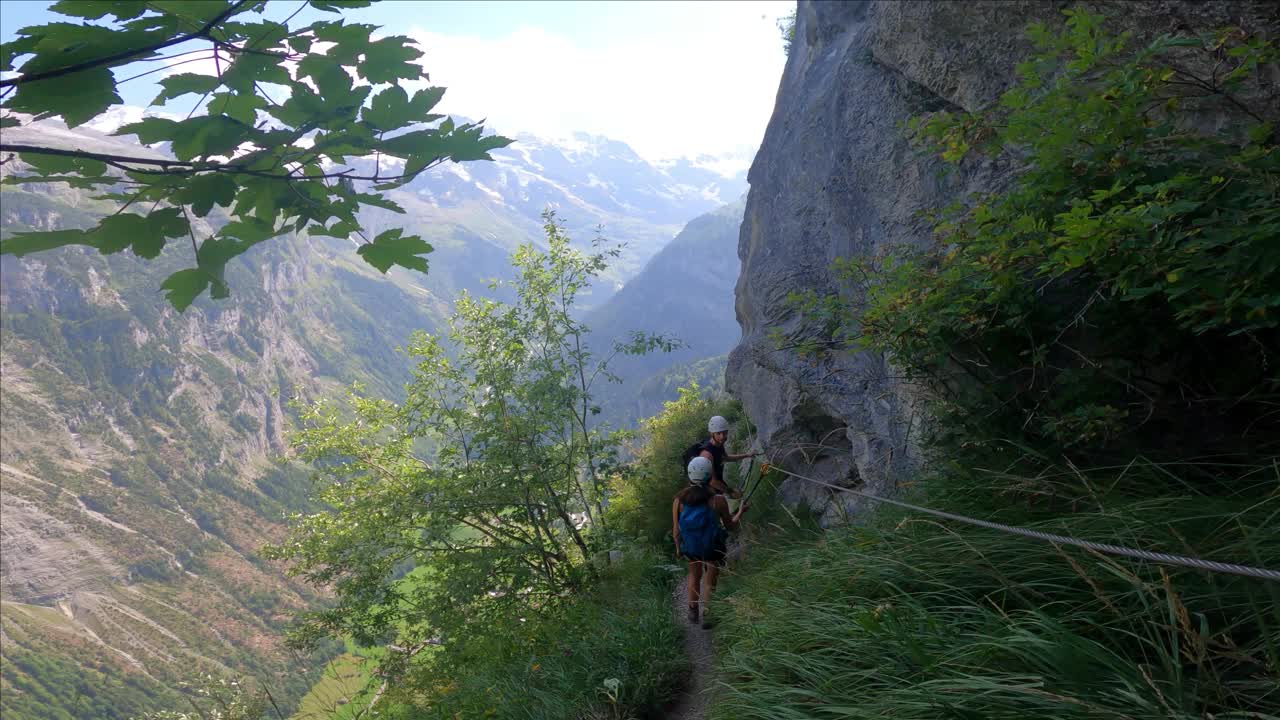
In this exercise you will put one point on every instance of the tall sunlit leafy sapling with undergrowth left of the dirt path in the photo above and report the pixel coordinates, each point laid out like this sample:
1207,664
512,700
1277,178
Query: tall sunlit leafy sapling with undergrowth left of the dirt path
460,530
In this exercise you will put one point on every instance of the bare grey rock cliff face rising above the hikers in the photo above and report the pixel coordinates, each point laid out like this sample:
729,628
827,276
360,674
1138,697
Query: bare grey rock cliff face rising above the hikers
835,177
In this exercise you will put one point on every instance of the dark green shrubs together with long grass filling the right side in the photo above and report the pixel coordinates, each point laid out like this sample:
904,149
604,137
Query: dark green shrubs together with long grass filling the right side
1098,343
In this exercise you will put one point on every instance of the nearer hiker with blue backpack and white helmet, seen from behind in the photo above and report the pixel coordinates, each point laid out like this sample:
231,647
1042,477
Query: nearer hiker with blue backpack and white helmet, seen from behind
701,525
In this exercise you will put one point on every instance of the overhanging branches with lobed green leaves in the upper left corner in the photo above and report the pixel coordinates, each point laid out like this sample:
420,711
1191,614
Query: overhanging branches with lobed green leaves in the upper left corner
277,125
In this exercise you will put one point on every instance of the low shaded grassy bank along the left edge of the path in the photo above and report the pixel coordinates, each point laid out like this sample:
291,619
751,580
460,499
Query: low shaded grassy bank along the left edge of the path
614,653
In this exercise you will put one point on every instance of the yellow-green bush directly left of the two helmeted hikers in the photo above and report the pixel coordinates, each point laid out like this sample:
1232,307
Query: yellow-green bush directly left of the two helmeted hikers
641,503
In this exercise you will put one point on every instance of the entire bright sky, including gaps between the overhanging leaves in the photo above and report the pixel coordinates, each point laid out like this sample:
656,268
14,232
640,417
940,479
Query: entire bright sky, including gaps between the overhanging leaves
668,78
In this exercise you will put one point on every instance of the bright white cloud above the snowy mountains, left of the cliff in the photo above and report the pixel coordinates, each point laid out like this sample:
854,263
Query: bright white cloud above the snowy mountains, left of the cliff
705,90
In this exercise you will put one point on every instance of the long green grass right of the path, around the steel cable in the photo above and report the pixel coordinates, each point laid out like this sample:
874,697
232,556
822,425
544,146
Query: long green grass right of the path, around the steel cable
913,618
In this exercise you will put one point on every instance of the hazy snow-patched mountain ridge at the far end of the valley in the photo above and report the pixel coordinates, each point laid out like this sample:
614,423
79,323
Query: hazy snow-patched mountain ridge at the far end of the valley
477,213
